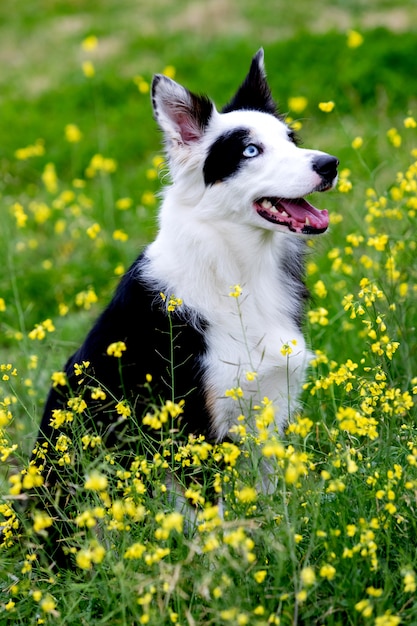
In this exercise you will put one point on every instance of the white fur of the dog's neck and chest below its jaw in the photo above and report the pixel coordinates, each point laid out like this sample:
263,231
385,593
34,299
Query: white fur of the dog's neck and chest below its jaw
246,335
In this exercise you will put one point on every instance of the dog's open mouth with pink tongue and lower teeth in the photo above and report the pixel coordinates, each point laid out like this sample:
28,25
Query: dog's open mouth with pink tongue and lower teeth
298,215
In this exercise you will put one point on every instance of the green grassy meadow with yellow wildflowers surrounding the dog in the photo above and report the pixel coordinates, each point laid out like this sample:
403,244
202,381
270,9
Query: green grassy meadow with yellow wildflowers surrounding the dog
80,168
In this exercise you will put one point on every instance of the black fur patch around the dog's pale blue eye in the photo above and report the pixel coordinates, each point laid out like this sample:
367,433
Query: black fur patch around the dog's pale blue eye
225,156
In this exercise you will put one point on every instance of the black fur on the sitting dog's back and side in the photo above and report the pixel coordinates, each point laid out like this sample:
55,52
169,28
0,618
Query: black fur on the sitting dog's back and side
135,307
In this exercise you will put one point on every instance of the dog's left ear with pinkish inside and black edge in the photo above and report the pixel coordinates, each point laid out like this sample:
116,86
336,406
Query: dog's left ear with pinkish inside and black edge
182,115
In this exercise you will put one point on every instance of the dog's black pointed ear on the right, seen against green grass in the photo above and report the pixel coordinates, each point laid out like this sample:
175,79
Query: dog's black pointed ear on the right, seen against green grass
254,93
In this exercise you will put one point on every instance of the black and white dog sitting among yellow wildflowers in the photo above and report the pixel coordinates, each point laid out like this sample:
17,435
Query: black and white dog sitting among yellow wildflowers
234,214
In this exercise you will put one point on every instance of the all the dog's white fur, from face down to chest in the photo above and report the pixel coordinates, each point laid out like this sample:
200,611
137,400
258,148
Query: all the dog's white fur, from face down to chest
211,238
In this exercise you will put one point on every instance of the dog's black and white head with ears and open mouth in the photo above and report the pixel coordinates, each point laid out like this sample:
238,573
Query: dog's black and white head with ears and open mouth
243,160
